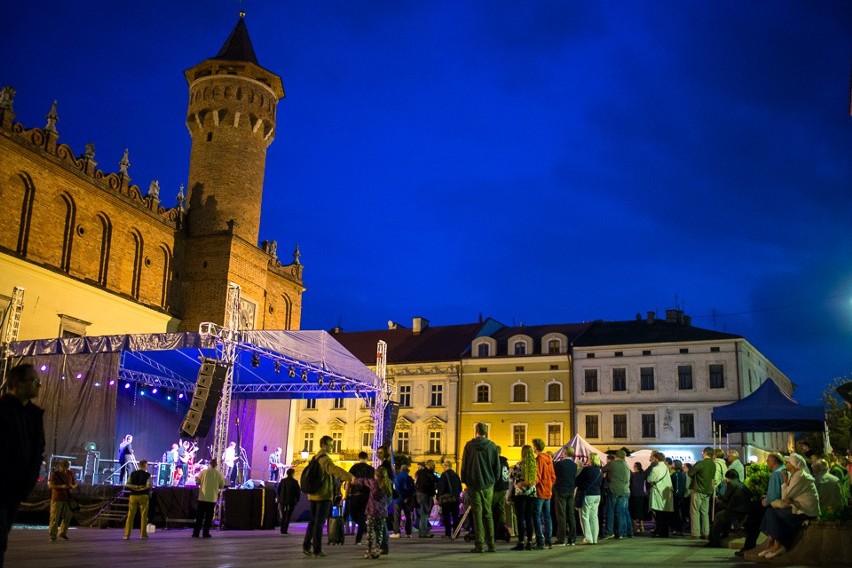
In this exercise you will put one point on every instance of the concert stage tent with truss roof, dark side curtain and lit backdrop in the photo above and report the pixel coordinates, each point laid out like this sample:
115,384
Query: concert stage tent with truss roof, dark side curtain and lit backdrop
97,388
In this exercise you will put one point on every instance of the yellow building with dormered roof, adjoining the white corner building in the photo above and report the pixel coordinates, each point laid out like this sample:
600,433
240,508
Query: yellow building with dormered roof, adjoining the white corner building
518,381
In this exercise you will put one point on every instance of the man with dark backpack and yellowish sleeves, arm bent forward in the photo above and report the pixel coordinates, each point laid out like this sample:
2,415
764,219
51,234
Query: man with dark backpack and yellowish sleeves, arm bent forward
317,481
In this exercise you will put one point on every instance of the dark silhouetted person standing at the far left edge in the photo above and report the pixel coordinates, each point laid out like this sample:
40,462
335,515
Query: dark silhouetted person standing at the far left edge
21,444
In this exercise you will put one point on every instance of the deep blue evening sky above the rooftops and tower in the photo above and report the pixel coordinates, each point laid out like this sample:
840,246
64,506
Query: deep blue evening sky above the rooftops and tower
535,162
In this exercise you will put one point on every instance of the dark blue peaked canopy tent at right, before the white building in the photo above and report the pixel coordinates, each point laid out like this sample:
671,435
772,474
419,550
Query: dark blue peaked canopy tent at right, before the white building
768,409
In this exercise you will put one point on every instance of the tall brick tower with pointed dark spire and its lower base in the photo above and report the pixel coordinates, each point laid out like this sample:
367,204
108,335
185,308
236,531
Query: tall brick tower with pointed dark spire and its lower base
231,118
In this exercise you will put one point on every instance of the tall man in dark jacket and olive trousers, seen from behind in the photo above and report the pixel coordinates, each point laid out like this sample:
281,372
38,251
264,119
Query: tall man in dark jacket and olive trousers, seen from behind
480,468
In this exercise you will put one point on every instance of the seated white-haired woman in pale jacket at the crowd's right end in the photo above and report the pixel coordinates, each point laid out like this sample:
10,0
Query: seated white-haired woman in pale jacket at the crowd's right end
799,502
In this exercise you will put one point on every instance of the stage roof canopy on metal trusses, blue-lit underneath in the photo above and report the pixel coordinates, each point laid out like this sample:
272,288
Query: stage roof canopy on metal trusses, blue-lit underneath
269,364
